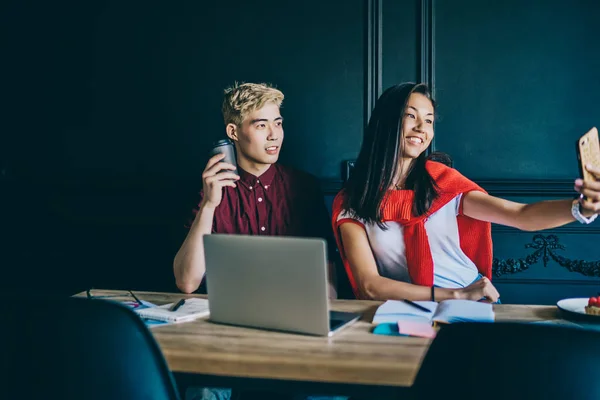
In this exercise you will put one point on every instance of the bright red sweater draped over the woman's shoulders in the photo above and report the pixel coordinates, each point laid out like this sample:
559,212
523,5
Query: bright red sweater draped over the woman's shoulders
475,236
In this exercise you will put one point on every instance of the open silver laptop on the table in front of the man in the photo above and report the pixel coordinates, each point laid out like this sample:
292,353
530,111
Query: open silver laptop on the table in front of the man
277,283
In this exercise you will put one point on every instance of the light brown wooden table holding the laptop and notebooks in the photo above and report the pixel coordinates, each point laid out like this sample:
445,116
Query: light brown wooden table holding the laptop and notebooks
352,360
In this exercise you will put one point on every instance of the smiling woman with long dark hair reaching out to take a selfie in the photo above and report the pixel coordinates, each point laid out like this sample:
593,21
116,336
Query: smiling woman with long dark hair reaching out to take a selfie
412,228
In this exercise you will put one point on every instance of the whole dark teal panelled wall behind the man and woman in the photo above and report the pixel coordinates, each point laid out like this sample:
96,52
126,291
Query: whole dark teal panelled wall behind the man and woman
111,106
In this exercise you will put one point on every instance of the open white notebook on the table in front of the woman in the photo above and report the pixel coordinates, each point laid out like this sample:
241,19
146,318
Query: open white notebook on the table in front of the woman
447,311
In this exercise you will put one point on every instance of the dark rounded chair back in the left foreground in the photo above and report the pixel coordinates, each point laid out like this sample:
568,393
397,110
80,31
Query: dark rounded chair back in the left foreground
76,348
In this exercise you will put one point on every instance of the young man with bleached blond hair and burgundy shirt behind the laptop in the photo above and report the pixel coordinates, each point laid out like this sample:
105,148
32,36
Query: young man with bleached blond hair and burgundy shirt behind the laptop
266,198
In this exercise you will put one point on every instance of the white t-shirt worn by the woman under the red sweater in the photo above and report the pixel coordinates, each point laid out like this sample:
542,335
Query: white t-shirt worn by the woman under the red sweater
451,267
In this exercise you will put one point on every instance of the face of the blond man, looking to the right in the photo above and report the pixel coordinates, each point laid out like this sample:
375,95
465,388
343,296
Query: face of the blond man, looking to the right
260,137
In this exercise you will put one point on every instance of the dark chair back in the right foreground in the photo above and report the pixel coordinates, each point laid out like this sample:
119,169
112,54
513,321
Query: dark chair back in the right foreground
510,361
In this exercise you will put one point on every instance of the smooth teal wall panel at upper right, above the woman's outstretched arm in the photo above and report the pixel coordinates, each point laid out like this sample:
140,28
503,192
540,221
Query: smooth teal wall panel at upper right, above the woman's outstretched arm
517,84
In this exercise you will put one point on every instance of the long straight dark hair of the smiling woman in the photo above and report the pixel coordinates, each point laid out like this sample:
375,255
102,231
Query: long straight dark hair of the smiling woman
377,162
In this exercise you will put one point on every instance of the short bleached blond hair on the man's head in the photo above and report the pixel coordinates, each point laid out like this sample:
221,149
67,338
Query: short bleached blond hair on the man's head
243,99
